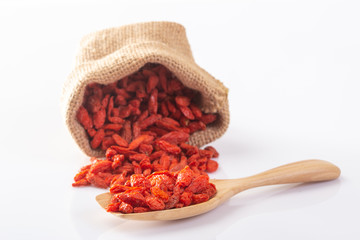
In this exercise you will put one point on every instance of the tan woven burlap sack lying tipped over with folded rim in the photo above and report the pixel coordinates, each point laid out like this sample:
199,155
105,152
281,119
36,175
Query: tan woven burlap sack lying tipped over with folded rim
111,54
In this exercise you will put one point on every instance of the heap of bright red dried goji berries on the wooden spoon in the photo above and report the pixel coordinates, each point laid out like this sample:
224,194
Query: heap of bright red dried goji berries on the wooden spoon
159,191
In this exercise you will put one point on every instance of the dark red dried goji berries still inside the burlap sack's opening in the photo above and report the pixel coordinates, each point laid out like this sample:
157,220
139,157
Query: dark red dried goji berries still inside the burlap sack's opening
151,101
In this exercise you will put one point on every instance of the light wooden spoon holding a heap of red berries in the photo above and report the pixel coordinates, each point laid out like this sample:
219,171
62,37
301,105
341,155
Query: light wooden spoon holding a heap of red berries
297,172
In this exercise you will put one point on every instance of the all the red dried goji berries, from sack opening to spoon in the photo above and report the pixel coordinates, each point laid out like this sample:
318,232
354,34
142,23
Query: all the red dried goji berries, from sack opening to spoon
143,122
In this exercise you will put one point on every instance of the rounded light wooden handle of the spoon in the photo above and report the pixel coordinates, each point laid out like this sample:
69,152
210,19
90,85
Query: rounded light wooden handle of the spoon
297,172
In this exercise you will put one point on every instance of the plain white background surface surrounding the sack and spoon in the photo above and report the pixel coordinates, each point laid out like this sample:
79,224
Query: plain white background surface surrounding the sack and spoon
292,68
